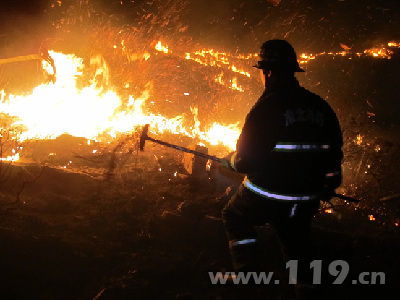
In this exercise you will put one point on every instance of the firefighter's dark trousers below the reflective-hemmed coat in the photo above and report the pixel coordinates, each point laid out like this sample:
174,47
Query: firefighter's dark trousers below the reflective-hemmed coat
292,222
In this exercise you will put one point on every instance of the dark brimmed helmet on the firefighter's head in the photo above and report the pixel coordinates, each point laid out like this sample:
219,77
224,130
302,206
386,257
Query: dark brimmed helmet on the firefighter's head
278,55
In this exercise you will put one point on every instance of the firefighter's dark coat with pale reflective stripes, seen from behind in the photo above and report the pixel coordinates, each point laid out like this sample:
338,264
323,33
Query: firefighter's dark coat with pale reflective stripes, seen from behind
290,145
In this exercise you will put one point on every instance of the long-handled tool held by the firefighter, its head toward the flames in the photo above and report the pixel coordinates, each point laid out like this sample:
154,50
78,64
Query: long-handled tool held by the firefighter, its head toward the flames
144,136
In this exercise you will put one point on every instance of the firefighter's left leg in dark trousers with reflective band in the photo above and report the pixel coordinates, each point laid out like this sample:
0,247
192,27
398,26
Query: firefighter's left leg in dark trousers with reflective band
238,220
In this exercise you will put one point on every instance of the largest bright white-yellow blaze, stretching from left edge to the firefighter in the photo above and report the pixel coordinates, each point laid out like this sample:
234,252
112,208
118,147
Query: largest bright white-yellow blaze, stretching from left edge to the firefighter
93,112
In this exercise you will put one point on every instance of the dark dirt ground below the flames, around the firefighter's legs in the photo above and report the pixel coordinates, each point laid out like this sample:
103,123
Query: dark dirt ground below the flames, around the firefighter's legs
150,231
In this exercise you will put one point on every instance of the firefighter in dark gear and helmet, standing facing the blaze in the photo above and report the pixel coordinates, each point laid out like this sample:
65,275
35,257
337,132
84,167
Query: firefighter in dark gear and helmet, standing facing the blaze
290,150
